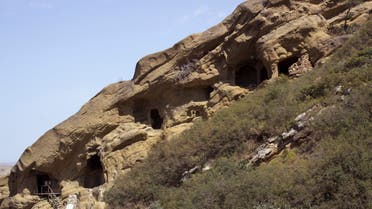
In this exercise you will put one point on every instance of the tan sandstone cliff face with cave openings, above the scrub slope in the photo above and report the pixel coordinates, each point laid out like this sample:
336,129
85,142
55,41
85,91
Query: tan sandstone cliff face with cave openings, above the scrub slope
170,89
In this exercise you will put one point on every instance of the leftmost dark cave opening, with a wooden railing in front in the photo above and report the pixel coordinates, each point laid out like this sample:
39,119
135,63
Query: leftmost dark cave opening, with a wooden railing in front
46,185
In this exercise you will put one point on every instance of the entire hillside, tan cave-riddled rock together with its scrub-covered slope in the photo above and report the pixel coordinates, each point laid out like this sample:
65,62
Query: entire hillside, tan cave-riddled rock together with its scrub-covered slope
270,108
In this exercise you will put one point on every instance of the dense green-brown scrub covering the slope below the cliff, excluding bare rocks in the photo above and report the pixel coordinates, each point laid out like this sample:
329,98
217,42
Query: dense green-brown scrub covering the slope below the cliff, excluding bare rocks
332,170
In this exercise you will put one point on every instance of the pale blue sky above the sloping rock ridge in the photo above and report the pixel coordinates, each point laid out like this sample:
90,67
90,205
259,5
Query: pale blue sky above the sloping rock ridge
56,54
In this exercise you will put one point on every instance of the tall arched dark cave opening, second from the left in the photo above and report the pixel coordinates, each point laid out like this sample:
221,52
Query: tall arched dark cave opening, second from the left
94,172
